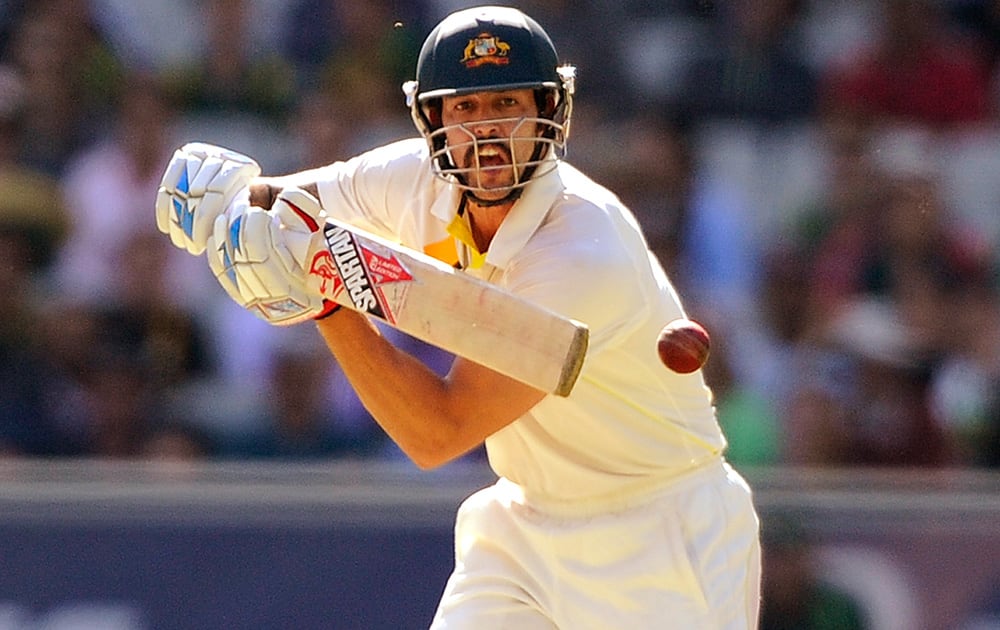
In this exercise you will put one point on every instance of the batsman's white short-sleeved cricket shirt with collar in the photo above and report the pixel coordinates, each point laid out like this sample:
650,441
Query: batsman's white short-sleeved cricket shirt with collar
630,425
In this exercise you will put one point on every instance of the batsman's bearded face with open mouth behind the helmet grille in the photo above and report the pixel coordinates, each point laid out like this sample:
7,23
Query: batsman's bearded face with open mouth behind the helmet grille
491,136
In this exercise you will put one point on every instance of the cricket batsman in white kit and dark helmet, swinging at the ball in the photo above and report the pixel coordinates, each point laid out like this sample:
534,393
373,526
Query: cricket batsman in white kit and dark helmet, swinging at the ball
614,506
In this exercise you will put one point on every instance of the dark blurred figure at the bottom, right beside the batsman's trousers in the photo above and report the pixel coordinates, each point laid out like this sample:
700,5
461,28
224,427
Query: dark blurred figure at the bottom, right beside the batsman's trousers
794,594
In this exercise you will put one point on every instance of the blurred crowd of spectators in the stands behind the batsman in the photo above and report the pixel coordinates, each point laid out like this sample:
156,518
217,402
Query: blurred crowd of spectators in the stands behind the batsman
821,179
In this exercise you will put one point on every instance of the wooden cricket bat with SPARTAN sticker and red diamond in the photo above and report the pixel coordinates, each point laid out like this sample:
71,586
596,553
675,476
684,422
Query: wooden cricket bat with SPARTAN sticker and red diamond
428,299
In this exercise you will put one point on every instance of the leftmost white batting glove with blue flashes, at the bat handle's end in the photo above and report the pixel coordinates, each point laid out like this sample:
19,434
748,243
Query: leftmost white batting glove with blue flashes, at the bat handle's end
199,183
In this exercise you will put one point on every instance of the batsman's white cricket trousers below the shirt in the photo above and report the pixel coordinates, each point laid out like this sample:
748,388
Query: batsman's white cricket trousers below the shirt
686,558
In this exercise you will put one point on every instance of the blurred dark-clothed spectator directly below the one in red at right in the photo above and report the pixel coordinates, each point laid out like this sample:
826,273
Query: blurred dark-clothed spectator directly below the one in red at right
883,229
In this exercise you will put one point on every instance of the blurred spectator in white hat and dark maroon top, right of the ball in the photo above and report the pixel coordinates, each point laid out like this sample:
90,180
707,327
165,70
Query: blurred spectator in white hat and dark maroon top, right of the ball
860,397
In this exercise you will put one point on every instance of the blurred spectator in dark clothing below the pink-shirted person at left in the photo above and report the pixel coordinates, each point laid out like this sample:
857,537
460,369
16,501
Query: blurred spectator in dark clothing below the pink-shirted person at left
144,347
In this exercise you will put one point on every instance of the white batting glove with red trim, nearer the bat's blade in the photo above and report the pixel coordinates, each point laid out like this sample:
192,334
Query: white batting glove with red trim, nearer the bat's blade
262,257
